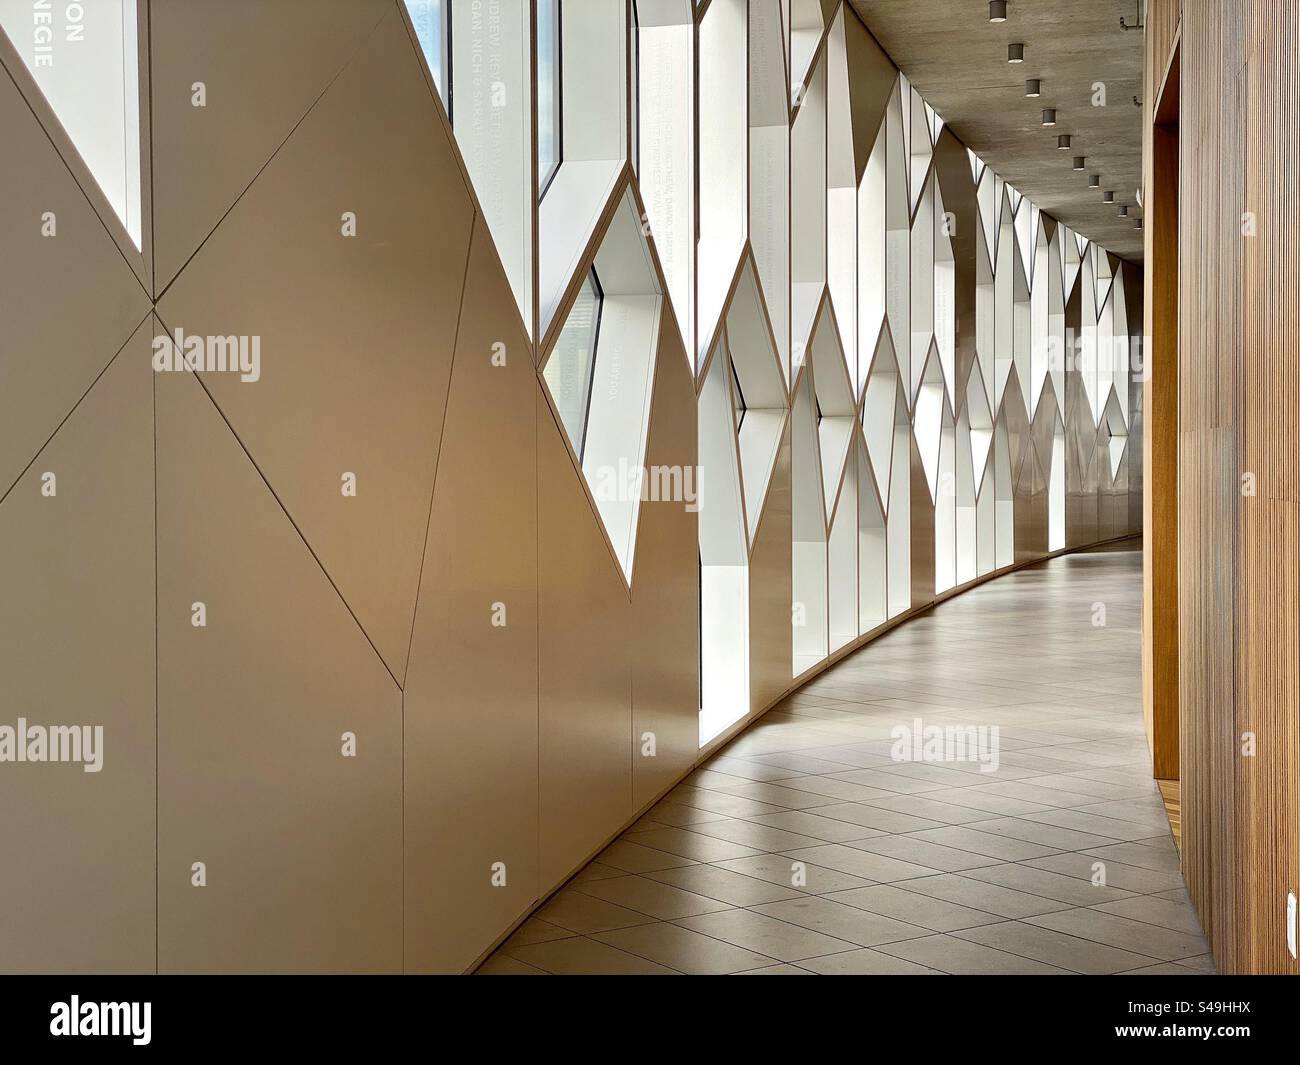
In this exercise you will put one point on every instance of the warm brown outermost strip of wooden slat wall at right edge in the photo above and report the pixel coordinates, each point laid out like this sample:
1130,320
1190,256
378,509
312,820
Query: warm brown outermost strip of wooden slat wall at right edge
1268,687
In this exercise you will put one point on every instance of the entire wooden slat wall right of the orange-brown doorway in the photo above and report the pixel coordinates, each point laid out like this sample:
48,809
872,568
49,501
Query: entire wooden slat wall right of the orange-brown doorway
1240,414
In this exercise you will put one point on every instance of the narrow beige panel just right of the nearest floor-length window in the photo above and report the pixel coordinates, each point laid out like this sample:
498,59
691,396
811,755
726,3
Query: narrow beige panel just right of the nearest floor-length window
772,635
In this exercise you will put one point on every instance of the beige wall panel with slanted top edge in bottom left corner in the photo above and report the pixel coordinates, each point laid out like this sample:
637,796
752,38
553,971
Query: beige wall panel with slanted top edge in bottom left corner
77,650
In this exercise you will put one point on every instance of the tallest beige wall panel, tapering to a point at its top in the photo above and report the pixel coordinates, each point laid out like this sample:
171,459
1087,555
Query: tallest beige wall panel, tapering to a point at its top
471,696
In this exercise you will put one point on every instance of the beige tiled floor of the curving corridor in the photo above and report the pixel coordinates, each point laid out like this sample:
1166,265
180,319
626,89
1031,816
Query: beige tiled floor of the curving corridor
805,848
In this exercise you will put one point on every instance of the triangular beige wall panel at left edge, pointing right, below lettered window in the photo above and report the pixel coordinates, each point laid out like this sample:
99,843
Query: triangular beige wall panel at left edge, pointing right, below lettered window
67,302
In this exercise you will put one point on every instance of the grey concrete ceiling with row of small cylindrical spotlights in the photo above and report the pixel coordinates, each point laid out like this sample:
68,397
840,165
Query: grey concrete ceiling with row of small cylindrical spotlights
957,60
